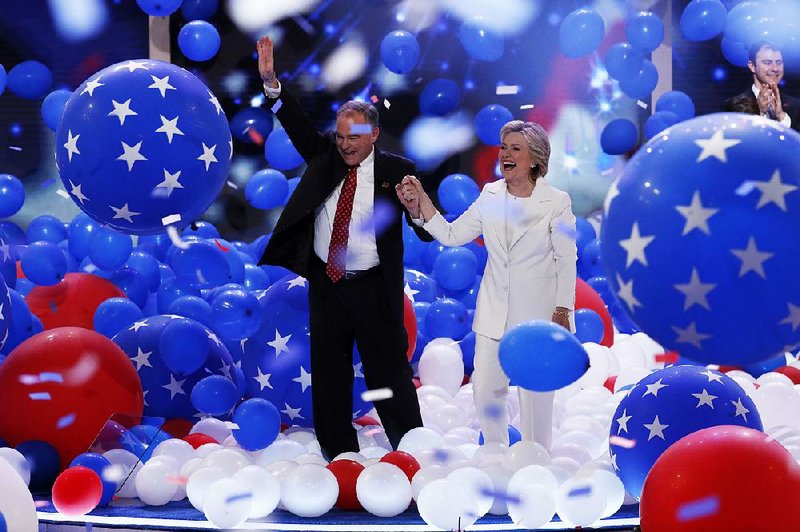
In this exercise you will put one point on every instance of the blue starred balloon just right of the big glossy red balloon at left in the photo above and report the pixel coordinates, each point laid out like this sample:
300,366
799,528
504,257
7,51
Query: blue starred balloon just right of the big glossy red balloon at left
165,393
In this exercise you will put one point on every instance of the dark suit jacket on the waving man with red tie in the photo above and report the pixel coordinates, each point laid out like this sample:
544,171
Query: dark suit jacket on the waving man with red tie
292,241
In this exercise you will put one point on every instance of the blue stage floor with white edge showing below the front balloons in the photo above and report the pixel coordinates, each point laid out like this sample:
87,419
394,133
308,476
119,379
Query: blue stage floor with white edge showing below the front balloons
182,516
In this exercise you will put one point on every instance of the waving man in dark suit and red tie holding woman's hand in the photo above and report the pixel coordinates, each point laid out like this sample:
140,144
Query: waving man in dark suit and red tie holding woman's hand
354,270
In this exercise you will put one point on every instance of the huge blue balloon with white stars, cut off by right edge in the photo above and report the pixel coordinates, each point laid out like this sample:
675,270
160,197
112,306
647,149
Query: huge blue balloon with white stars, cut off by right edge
701,243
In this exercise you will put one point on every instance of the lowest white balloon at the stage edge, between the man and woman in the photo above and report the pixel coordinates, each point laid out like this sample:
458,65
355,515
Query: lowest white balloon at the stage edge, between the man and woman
447,505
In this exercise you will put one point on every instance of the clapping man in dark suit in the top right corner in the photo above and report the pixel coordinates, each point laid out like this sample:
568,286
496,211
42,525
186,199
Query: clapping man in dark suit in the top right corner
764,98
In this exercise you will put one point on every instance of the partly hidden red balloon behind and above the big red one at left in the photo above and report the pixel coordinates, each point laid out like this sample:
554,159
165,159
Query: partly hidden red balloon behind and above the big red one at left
72,302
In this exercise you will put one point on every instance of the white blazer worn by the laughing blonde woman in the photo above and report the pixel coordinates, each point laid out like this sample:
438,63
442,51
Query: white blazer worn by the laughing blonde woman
536,273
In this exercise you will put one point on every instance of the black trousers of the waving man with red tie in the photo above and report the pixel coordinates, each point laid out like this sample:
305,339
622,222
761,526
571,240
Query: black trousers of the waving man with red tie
341,314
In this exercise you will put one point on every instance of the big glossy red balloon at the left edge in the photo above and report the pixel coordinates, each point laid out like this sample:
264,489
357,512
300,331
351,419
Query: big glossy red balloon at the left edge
60,386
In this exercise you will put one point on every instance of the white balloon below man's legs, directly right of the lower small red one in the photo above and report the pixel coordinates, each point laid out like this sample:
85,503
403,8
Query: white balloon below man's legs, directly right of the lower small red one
383,489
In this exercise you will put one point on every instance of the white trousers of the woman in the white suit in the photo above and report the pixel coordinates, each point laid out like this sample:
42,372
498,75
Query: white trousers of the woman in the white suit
490,390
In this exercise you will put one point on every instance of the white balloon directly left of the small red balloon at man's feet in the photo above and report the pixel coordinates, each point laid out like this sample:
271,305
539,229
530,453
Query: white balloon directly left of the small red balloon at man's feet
303,481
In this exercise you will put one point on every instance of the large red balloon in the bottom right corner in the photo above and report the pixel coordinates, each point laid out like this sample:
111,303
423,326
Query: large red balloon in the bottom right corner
727,478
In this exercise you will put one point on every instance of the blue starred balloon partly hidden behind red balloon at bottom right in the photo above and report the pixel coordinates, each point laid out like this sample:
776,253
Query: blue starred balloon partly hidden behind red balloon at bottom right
664,407
